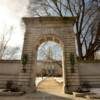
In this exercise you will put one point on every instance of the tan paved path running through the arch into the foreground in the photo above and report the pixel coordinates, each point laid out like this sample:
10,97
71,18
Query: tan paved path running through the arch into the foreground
49,89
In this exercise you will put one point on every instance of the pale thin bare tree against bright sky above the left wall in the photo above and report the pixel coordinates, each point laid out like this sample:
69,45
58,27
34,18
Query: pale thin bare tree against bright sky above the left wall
7,52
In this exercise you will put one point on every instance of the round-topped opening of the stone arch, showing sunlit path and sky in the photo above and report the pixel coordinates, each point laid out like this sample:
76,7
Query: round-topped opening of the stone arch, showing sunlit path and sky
49,67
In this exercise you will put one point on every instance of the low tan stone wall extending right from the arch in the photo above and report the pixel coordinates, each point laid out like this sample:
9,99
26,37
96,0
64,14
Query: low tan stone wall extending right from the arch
90,72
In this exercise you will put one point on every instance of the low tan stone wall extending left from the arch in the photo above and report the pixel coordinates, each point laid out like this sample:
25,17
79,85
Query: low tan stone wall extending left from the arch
9,70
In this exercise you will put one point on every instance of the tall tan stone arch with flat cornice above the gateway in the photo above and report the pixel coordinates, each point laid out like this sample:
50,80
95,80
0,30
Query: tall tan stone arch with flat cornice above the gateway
41,29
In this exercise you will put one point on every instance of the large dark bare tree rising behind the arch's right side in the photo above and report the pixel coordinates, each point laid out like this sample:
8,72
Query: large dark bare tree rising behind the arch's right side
87,14
